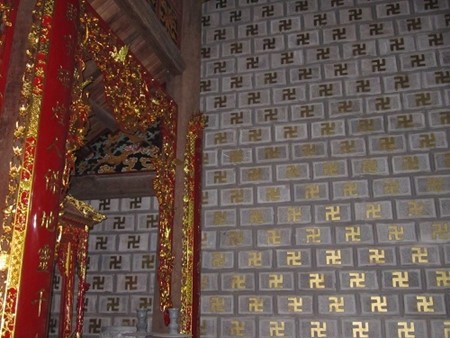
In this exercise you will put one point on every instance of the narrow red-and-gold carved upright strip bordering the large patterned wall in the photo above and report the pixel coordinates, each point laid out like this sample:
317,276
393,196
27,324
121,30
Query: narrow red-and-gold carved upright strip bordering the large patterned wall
190,207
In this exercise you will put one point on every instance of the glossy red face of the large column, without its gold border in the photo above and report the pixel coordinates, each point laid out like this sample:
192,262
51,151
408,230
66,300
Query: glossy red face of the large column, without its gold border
48,155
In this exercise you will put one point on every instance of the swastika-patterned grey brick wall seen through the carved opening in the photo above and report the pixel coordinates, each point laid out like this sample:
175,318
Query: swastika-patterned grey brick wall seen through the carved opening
122,265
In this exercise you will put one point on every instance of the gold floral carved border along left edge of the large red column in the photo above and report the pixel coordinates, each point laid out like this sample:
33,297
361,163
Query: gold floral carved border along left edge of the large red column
20,178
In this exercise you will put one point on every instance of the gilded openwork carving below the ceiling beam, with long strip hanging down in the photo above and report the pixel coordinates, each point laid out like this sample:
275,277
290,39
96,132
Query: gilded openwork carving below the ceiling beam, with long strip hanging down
138,101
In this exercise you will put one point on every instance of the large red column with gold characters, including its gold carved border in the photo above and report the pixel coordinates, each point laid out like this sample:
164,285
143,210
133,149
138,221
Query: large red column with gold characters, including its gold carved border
41,134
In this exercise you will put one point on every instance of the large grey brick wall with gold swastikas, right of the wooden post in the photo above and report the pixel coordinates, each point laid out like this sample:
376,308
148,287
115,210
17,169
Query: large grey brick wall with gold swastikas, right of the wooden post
327,171
